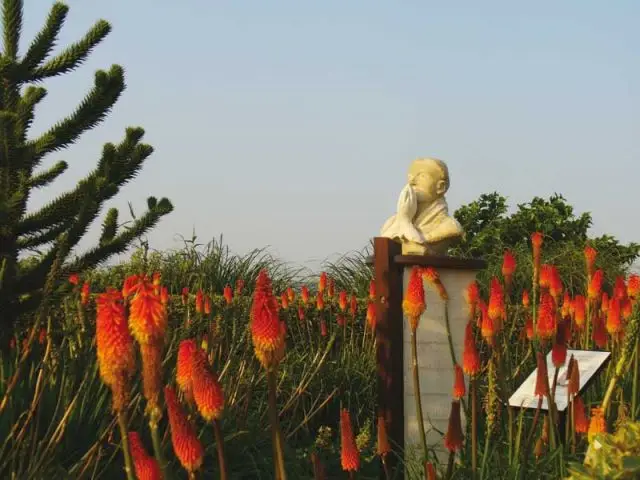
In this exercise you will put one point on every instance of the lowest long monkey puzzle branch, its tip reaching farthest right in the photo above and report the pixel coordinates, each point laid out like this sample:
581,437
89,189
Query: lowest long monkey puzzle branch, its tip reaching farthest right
120,243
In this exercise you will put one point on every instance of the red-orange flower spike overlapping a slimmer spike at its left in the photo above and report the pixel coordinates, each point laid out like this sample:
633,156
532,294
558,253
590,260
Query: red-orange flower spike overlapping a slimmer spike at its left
207,391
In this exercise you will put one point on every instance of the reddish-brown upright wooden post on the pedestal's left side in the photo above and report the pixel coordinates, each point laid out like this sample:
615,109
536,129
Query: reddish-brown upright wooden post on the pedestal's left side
389,348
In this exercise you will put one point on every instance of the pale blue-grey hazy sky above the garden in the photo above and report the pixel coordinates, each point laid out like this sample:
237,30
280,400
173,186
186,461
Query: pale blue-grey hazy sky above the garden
290,125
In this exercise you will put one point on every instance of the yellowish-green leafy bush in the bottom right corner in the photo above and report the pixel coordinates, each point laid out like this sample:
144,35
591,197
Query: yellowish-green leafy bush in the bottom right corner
611,456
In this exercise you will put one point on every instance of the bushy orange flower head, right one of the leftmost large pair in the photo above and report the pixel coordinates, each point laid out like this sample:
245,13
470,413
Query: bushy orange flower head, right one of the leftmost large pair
147,315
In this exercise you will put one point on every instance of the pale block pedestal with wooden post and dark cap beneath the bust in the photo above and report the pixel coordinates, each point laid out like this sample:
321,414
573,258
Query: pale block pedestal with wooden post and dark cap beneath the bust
396,400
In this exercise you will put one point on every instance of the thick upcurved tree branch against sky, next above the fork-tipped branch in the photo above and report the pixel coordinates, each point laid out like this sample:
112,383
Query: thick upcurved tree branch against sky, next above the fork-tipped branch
91,111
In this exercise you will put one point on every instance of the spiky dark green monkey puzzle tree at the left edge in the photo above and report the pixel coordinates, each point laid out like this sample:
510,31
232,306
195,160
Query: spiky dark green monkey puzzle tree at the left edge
28,283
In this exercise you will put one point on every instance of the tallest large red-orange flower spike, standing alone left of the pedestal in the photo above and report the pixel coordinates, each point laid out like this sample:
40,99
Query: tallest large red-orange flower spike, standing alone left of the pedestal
267,331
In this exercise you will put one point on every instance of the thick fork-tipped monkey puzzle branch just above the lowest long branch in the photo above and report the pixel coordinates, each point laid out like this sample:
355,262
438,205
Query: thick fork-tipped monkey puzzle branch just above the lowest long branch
118,164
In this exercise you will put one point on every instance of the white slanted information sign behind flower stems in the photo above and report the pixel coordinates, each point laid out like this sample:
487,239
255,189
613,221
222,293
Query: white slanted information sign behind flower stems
589,362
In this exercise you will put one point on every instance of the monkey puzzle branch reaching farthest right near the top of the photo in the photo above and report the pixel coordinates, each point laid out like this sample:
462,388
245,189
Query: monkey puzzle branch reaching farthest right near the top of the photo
73,56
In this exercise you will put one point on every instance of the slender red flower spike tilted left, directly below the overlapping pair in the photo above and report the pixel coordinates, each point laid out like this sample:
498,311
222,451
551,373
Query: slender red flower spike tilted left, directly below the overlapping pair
186,445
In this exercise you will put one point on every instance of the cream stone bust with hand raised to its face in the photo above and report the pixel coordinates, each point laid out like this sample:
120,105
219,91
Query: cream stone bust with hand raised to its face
422,222
